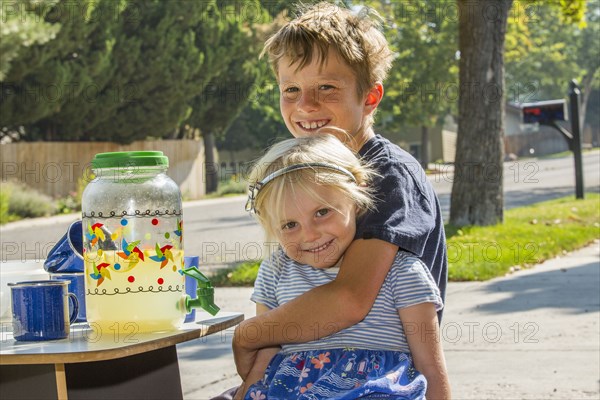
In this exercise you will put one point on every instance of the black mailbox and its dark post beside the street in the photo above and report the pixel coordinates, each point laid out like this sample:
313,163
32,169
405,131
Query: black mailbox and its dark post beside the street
548,113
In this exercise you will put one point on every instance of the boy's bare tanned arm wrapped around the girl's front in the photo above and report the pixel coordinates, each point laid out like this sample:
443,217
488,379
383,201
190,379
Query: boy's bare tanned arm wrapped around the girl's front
323,310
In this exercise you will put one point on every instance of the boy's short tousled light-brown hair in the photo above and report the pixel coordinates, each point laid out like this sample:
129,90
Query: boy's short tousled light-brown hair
354,35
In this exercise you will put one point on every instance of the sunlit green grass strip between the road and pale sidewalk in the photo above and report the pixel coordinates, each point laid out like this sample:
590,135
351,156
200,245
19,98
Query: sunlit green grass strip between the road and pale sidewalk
528,236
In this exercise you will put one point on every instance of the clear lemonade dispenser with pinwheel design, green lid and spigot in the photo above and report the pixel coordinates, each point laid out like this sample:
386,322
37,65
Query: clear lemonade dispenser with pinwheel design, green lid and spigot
133,246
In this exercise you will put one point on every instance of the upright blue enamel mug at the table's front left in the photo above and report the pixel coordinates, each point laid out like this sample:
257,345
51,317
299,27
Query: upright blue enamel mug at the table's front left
40,310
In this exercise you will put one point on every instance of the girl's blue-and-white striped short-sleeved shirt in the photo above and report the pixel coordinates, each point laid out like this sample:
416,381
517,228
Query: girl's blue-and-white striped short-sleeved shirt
408,283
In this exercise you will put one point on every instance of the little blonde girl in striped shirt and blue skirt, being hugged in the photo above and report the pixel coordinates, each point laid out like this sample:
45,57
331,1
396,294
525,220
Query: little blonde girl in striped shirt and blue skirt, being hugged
307,193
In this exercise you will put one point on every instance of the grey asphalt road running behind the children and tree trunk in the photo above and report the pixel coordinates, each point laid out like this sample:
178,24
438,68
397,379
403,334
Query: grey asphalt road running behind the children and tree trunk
222,232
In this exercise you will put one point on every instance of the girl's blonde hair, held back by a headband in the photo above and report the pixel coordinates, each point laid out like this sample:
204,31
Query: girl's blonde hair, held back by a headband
267,202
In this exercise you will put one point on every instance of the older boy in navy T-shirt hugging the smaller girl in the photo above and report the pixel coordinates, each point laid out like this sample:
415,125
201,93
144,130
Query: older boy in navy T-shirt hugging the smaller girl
330,64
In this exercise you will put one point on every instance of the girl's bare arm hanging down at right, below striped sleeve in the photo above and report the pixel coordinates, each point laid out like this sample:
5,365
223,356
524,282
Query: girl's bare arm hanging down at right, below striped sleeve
421,326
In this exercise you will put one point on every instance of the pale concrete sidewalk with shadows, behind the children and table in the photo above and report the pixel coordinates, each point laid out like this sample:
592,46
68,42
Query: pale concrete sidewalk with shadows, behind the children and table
532,335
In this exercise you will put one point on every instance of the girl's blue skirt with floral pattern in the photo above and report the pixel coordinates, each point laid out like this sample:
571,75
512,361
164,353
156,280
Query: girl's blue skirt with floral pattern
340,374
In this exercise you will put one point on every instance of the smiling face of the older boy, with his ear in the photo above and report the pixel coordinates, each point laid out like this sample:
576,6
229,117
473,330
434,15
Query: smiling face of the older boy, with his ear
321,96
